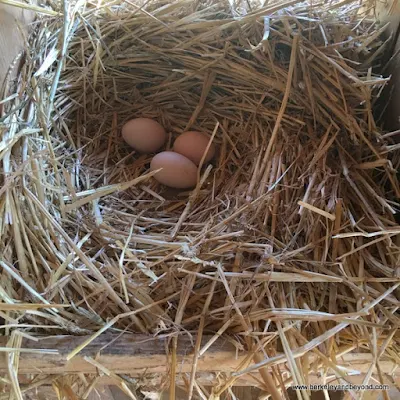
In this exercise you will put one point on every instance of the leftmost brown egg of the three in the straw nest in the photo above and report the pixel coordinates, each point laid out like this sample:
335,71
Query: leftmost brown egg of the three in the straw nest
144,134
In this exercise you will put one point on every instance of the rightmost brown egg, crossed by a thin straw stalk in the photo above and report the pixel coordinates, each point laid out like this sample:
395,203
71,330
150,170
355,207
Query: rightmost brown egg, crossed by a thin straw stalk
193,145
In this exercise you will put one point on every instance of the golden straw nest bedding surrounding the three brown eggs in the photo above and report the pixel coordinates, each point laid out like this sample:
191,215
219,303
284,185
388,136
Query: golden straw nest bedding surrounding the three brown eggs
287,245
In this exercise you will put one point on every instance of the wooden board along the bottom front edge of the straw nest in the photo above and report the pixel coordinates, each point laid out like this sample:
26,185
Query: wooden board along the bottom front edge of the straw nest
139,354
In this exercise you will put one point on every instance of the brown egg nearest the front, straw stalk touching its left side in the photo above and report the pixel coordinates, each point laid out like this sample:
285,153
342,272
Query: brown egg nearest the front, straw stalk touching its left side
177,171
